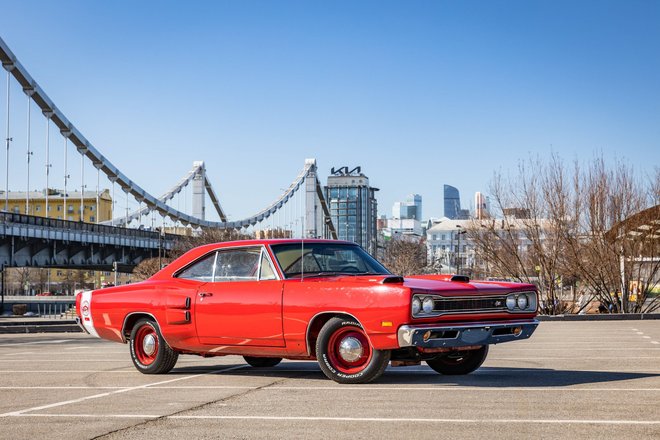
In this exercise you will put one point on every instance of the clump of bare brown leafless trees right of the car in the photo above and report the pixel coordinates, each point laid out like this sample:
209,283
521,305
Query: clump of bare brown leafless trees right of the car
575,227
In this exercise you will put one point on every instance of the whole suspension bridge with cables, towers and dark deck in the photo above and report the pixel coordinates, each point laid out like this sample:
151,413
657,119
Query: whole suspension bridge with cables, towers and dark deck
62,238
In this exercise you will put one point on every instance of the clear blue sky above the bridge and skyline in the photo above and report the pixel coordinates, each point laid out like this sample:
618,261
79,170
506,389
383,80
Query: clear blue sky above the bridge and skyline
418,93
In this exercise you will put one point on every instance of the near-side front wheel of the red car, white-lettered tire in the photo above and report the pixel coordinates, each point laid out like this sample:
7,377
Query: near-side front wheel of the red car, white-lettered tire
368,366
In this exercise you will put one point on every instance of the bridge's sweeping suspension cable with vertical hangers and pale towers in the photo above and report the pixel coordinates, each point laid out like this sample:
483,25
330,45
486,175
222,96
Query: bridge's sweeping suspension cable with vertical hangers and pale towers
314,222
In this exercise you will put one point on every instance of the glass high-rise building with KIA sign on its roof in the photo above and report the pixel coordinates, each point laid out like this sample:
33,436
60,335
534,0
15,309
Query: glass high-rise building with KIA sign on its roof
353,206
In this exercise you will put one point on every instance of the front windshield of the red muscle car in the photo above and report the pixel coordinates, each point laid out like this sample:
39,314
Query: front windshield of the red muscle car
325,259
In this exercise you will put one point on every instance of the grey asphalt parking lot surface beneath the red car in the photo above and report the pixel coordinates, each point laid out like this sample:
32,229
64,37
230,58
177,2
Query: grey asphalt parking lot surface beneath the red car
570,380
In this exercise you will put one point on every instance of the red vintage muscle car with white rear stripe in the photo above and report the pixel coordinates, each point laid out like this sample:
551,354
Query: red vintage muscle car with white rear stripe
321,300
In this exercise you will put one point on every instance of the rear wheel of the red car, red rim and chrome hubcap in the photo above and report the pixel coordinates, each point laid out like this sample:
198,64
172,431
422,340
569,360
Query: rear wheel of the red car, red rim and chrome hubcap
154,356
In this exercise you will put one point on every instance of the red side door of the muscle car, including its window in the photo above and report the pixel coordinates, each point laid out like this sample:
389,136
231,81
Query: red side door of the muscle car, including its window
242,304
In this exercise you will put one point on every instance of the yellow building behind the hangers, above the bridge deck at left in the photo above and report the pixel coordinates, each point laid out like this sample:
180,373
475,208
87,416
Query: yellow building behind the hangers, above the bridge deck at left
96,209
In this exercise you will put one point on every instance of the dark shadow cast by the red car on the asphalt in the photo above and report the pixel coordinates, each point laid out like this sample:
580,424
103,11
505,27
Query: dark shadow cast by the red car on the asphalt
485,377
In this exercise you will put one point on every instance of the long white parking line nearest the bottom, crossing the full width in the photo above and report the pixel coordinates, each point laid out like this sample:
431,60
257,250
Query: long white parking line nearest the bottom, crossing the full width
355,419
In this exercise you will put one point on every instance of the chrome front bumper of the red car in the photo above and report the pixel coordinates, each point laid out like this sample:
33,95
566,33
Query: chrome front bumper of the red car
434,336
